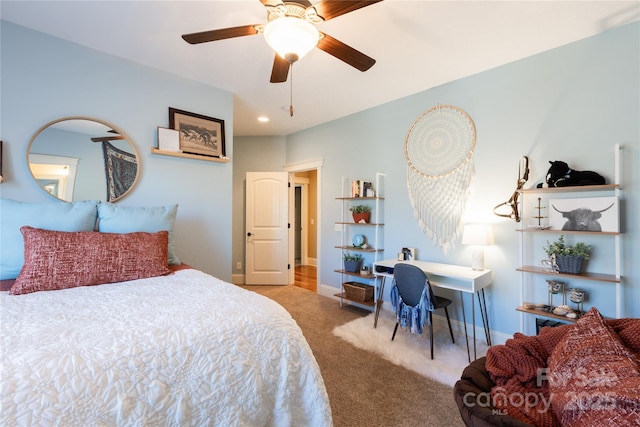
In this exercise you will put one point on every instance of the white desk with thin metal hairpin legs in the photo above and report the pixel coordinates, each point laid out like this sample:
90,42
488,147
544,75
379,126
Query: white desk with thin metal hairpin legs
447,276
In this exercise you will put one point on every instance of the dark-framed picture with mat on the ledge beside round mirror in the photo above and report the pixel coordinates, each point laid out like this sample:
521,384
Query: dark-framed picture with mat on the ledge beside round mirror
198,134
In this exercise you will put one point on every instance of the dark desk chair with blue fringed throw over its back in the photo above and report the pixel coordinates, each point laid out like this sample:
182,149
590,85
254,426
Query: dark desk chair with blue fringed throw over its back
412,299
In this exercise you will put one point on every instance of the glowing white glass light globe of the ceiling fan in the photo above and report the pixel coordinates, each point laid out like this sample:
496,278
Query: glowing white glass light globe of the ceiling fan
292,38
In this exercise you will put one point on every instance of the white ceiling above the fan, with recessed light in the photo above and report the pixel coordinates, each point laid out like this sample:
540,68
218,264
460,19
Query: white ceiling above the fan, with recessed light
418,44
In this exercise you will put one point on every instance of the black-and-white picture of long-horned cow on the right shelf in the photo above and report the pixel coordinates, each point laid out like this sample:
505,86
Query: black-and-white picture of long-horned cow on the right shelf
596,214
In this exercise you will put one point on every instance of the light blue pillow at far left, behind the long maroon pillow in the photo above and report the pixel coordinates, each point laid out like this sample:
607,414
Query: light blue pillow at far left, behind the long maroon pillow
55,216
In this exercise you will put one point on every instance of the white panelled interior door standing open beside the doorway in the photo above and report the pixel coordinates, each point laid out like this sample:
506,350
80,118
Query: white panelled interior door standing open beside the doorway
267,228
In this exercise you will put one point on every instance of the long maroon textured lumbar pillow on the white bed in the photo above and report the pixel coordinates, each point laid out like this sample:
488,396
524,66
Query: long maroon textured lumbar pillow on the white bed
60,260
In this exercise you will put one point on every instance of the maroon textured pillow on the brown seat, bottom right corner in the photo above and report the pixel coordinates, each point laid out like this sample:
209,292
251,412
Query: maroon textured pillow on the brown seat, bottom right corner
594,378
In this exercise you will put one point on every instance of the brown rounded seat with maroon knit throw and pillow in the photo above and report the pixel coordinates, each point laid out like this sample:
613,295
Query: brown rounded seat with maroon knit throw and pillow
586,374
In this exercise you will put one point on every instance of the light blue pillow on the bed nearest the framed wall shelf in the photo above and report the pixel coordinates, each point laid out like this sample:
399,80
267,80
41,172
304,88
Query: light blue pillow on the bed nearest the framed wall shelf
114,218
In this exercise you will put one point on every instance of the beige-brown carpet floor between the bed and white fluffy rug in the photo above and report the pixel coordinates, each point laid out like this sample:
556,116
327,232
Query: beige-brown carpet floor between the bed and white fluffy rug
364,389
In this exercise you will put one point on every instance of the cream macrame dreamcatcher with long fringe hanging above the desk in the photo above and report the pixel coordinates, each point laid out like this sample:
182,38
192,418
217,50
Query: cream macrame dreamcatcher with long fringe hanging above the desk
439,152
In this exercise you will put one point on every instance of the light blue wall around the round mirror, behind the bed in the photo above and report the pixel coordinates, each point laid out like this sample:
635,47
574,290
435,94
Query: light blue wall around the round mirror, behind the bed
45,78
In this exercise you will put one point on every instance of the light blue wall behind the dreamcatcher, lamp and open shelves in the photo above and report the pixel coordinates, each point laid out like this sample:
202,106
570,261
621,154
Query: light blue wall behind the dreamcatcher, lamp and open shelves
572,103
